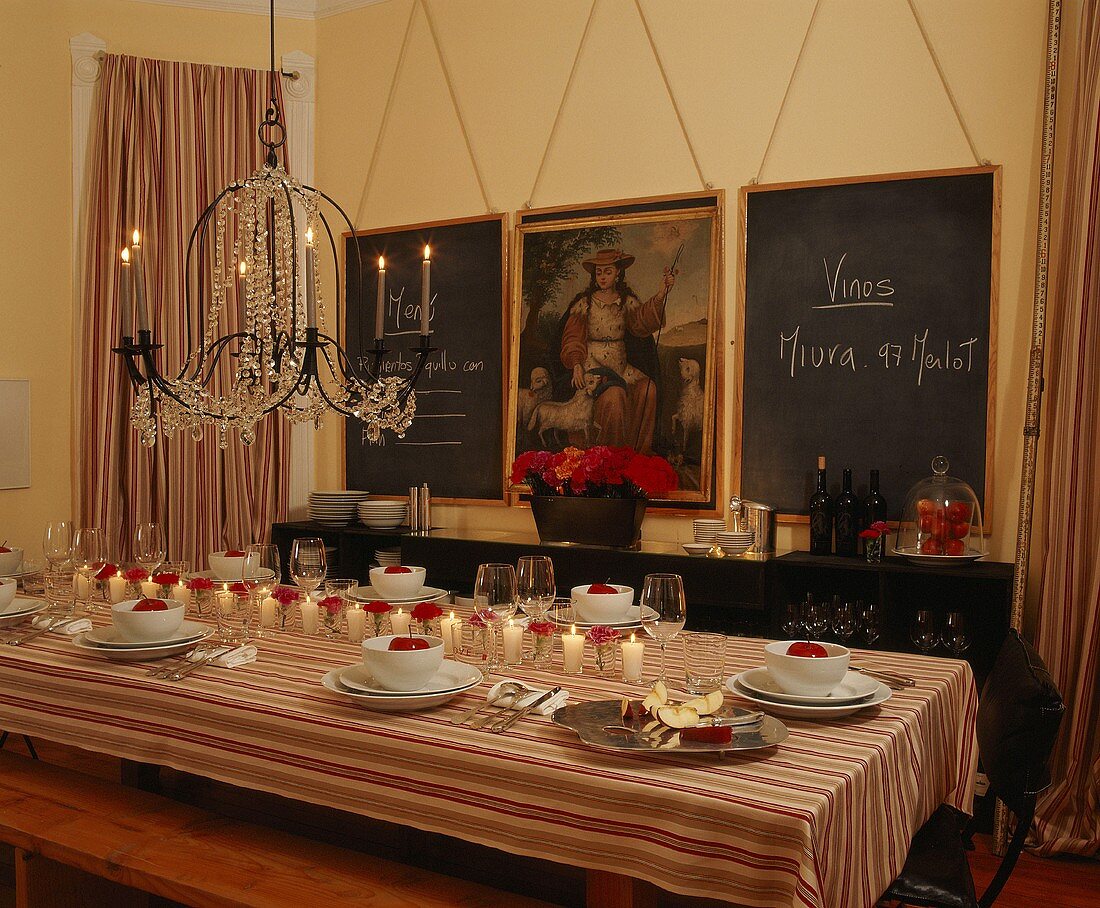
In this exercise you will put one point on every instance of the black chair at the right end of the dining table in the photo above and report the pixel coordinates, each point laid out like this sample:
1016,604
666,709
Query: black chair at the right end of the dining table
1019,716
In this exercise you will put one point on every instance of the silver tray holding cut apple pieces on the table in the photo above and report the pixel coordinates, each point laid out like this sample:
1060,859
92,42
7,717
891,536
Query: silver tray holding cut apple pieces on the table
591,723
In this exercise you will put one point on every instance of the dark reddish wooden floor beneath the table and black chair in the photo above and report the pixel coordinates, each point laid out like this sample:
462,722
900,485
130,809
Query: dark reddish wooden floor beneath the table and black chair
1037,883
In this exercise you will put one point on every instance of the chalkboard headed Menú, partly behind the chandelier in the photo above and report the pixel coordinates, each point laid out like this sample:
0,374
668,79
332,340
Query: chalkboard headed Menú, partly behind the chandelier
456,443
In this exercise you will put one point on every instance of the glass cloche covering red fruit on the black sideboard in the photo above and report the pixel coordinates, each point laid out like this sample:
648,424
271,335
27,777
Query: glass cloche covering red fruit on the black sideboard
942,521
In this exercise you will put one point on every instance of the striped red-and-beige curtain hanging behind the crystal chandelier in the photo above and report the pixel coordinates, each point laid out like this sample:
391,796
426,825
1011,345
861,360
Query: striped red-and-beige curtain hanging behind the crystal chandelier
166,139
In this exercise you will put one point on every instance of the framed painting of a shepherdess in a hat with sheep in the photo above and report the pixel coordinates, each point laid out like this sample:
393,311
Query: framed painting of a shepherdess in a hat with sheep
617,334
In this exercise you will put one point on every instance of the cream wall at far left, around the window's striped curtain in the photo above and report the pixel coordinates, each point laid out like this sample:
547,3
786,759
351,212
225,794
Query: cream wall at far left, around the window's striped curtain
36,206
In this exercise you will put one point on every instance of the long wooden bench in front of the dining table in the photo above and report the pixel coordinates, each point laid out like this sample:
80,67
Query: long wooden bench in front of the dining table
81,840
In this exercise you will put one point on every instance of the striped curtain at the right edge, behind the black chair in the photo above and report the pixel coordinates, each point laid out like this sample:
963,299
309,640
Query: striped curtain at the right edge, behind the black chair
1069,631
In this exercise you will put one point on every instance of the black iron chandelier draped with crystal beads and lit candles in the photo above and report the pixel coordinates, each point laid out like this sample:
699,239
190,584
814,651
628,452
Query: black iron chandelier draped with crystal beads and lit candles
252,257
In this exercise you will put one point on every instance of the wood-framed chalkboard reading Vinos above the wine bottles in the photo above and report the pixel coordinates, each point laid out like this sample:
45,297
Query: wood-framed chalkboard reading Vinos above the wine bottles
868,311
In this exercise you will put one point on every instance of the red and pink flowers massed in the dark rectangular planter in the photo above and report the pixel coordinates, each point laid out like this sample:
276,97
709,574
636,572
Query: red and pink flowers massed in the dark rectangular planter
597,473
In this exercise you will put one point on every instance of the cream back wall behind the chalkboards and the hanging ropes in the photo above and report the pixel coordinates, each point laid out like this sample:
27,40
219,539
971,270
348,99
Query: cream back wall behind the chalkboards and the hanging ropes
866,100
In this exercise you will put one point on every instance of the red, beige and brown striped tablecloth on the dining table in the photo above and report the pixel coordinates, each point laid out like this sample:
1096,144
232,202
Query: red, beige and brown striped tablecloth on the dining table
823,819
